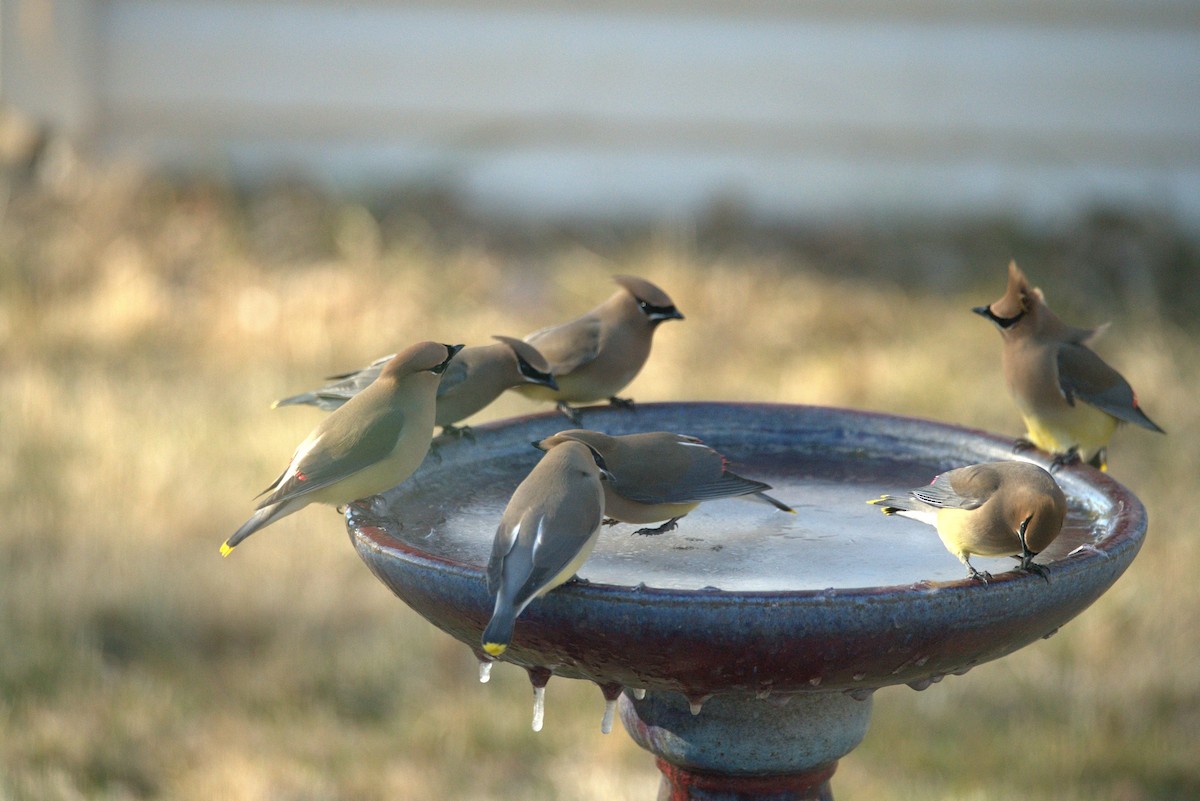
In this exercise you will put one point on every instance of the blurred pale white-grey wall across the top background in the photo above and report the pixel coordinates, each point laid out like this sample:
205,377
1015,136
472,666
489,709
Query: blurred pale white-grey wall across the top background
1039,109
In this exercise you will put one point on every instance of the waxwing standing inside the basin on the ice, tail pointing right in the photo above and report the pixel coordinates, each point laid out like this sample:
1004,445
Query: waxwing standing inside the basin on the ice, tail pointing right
662,477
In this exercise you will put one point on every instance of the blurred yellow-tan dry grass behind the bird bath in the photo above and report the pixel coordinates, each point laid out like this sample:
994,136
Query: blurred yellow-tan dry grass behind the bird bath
147,326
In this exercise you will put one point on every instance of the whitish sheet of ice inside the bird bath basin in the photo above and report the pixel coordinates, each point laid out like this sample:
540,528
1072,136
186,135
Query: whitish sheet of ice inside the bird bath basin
835,540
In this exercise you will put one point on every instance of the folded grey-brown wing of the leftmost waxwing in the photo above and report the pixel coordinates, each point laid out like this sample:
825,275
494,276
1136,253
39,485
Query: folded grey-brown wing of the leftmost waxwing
334,461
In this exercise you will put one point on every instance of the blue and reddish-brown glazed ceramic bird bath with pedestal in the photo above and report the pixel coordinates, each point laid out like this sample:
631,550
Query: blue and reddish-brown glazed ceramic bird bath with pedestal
746,646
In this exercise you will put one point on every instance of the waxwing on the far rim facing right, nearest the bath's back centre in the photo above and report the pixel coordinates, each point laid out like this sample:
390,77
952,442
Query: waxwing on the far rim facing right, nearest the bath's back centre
597,356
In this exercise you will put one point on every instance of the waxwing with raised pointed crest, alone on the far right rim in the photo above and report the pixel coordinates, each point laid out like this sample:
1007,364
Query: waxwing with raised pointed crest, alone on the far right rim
1070,399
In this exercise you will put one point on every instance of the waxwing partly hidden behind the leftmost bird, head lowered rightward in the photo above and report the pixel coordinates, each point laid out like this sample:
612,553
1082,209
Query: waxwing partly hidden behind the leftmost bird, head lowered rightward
475,380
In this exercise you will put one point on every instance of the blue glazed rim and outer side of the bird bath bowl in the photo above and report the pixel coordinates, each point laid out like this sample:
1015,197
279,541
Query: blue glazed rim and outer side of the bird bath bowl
704,642
